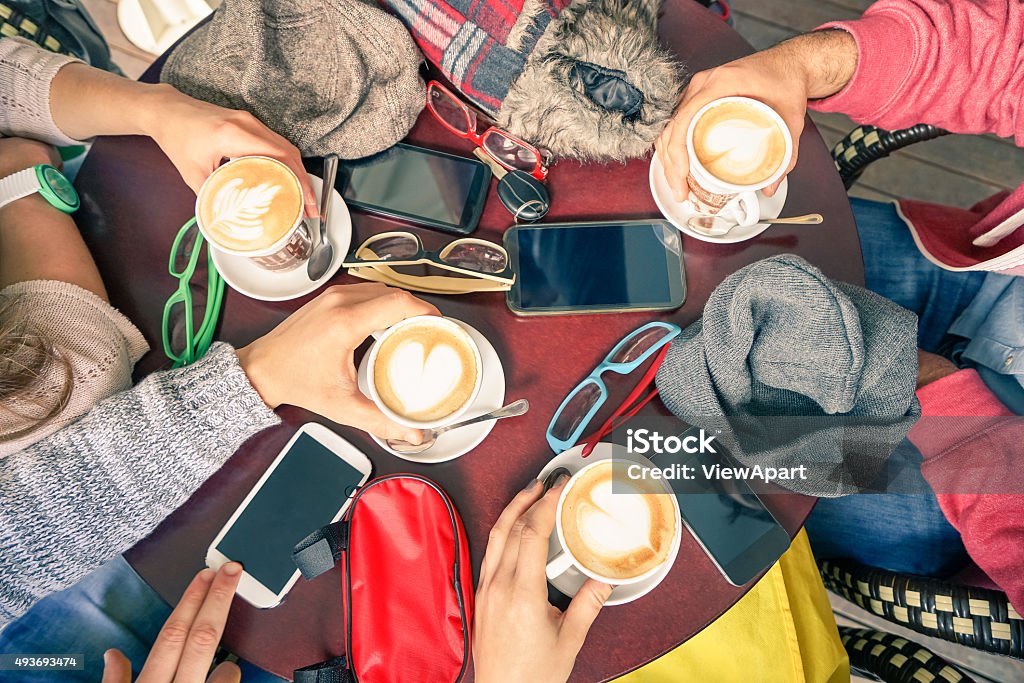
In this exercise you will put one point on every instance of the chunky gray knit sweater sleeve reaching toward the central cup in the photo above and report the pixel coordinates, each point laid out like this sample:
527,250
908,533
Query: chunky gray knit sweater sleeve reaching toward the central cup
92,491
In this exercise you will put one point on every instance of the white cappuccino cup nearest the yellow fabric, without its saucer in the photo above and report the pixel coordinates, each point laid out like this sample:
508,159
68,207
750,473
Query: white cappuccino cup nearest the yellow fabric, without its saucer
614,529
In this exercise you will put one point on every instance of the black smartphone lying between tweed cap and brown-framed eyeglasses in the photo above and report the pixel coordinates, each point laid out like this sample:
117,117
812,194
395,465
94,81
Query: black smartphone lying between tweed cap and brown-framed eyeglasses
422,187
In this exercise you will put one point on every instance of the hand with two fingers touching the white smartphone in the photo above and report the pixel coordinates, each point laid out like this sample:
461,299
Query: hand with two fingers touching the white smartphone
187,645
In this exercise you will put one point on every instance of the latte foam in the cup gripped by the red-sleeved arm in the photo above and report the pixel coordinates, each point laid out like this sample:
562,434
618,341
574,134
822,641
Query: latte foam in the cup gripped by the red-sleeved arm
739,144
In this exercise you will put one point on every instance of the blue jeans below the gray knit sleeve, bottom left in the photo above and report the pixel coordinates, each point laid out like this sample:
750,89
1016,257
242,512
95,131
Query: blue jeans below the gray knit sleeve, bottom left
111,608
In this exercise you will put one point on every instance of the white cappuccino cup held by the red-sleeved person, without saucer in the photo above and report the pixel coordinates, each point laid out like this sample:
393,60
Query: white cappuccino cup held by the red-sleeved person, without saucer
737,147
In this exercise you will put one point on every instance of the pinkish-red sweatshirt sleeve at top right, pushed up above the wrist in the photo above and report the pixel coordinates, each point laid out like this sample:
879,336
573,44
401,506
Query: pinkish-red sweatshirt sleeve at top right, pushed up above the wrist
954,64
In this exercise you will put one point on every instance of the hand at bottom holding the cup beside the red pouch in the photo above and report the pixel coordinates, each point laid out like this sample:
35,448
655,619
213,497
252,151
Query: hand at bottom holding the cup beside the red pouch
518,634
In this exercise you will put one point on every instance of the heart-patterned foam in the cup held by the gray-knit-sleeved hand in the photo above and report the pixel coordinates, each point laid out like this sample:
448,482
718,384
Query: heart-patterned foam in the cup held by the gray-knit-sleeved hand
425,372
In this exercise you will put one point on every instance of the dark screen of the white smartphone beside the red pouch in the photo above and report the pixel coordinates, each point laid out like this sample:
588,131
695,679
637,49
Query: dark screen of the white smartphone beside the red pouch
304,493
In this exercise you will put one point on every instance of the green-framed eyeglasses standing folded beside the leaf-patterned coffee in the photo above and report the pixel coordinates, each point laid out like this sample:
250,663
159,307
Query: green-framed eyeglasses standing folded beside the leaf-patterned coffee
182,265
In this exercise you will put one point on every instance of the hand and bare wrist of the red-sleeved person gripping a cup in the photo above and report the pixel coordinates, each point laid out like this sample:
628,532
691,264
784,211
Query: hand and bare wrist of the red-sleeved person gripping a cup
784,77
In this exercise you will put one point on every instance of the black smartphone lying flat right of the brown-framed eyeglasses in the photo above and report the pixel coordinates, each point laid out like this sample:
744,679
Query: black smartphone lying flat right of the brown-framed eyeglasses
598,268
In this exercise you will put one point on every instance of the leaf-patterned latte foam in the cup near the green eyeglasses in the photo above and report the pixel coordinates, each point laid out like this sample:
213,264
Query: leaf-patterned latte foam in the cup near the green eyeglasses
248,205
